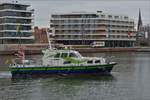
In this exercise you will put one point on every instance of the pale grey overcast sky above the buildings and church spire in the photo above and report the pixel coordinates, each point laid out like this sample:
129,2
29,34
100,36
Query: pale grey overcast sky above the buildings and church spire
44,8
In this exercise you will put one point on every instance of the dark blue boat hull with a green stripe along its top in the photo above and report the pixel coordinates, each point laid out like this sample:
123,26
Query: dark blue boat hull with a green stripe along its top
92,69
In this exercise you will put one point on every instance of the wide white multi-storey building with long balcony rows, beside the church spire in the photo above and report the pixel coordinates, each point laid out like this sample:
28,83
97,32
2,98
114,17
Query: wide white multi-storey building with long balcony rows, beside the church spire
82,28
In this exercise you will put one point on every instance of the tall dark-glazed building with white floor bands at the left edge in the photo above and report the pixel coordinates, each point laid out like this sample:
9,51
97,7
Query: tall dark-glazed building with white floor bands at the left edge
13,15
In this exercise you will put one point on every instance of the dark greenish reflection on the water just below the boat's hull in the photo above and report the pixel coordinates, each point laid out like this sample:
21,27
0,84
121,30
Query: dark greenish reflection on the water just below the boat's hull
66,79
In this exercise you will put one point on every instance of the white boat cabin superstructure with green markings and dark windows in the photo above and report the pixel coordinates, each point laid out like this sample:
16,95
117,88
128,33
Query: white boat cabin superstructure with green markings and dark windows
69,58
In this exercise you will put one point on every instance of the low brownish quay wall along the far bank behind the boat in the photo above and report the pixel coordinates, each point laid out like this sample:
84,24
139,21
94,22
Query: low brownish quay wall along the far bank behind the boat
37,49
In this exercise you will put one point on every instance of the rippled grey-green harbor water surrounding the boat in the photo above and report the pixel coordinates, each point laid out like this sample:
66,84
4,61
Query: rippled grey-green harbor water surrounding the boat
129,80
